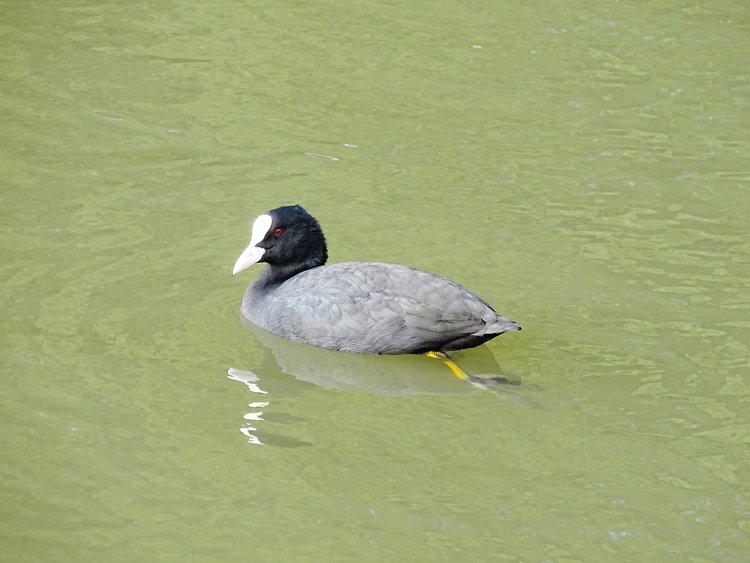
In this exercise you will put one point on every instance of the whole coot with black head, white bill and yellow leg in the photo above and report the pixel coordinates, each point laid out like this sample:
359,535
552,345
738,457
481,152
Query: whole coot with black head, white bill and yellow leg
361,307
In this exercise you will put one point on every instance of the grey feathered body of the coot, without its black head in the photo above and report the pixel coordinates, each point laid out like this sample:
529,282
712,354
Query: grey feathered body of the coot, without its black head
372,308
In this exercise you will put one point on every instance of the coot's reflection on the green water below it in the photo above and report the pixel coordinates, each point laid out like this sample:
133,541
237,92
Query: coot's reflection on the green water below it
289,368
